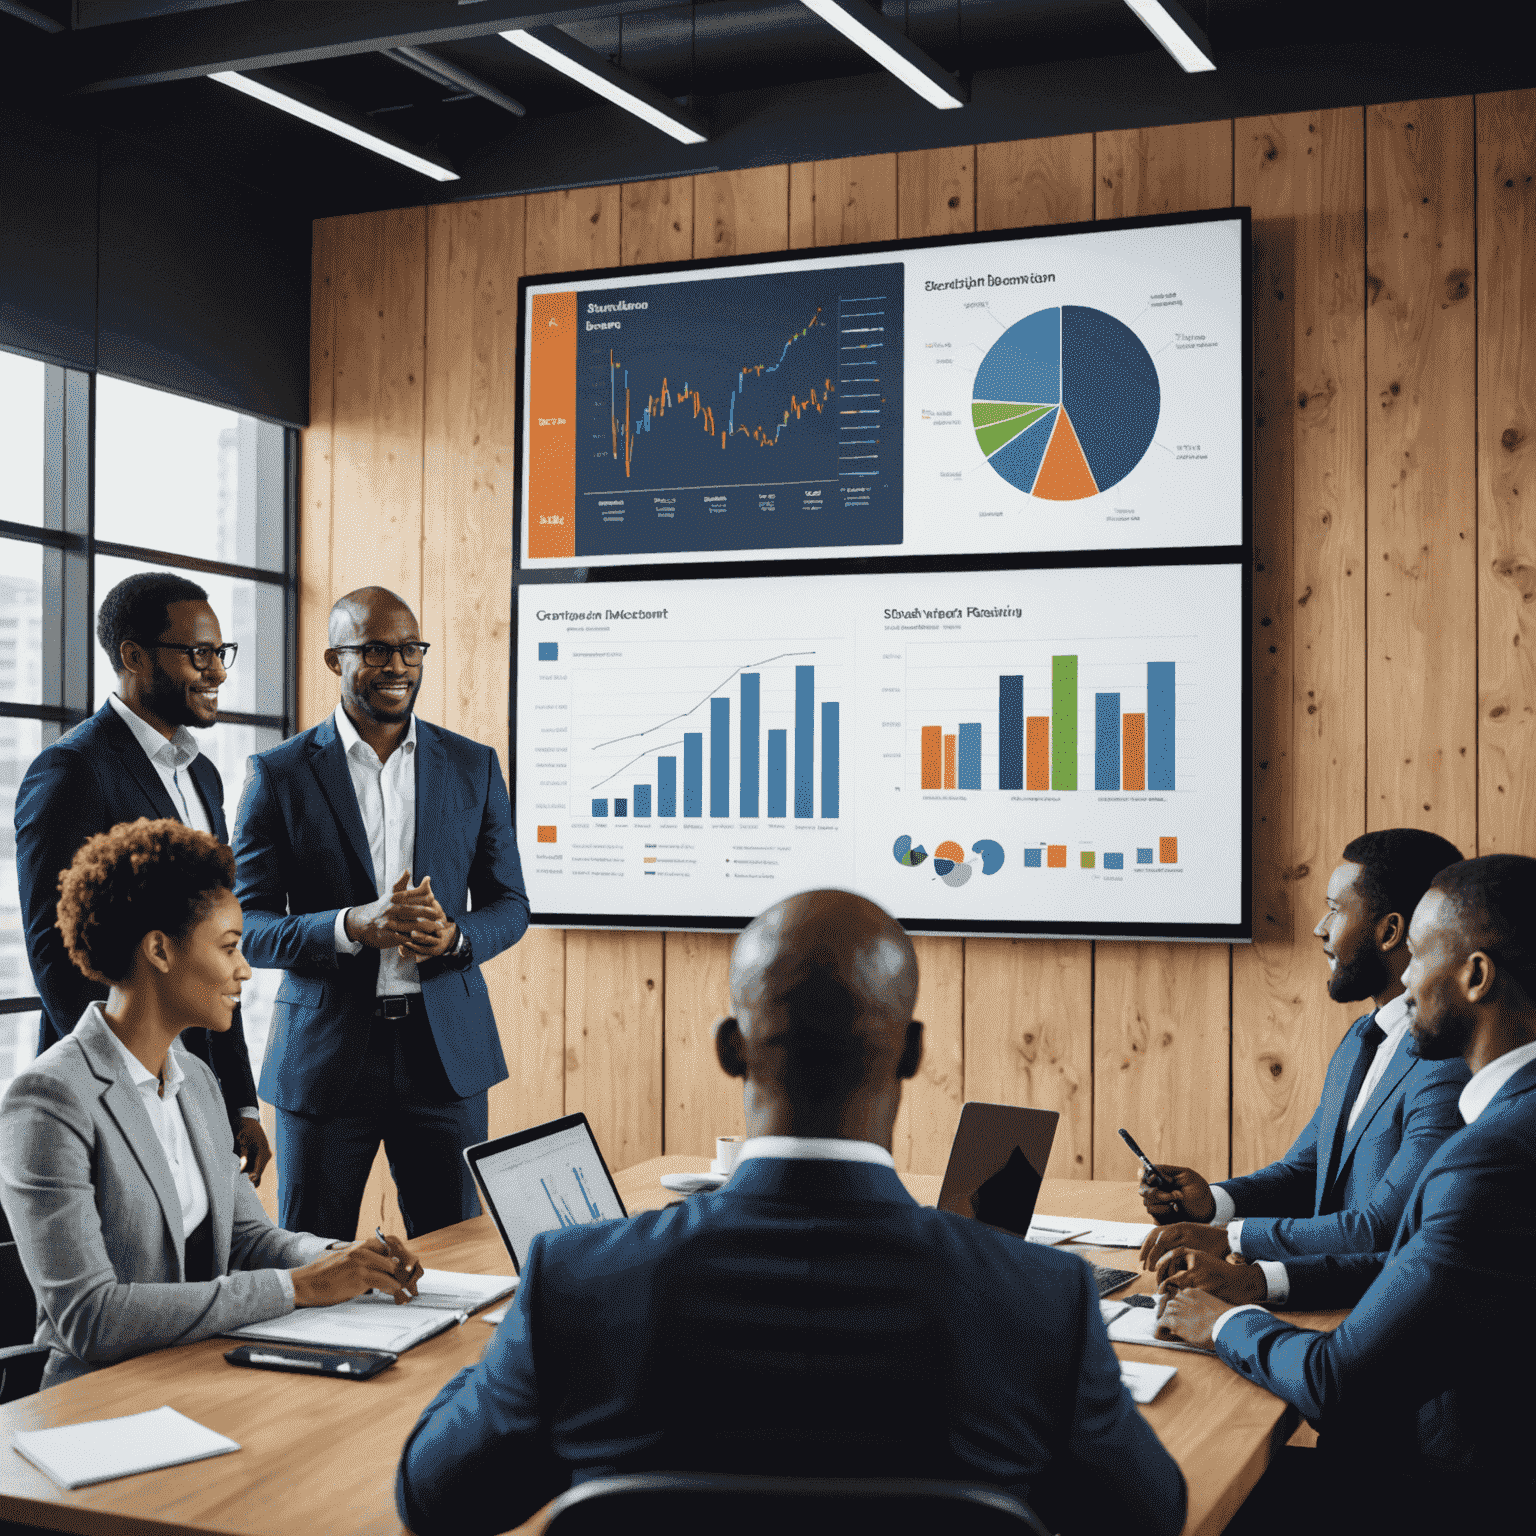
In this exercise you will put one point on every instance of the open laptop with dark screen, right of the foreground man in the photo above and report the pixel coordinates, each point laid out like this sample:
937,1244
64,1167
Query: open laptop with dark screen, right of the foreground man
996,1167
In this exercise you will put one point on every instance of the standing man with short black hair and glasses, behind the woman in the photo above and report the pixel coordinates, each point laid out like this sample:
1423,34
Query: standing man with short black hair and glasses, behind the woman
136,756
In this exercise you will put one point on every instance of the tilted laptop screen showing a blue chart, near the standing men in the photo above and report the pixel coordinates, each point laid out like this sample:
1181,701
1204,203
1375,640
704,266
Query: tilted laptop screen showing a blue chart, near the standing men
545,1179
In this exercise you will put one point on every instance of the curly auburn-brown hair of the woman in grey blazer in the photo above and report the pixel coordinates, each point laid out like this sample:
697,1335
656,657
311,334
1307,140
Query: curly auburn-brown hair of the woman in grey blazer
133,881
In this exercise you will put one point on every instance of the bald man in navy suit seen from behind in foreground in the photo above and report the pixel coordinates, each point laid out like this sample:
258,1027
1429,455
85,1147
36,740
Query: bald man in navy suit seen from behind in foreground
810,1319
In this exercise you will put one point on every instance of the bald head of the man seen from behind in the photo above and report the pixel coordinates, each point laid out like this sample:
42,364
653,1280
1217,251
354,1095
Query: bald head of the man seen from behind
823,993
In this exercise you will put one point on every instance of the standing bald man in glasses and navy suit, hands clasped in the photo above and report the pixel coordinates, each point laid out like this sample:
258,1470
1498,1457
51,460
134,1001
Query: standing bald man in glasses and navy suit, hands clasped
383,1028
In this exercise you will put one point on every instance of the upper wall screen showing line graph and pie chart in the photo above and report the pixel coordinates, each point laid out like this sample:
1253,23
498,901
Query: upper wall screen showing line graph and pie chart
1070,389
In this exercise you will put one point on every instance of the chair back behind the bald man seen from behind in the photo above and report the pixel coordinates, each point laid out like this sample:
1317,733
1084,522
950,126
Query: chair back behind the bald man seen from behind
706,1505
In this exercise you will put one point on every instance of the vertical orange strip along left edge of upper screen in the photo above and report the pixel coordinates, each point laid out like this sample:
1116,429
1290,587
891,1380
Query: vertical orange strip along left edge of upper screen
552,428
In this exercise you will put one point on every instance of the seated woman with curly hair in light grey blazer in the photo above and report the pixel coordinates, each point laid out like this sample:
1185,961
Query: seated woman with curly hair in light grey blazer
130,1213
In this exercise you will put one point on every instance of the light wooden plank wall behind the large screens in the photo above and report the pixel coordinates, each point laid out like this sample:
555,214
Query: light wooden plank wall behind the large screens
1395,683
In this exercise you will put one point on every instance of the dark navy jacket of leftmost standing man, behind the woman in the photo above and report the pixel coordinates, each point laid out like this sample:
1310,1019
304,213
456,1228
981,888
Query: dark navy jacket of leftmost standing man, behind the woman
84,784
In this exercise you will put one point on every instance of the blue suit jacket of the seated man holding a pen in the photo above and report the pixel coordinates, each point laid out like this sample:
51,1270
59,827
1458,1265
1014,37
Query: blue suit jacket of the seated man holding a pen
1297,1210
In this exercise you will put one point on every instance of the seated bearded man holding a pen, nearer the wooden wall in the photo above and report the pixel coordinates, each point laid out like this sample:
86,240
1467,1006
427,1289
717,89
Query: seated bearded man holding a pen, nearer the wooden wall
1345,1183
